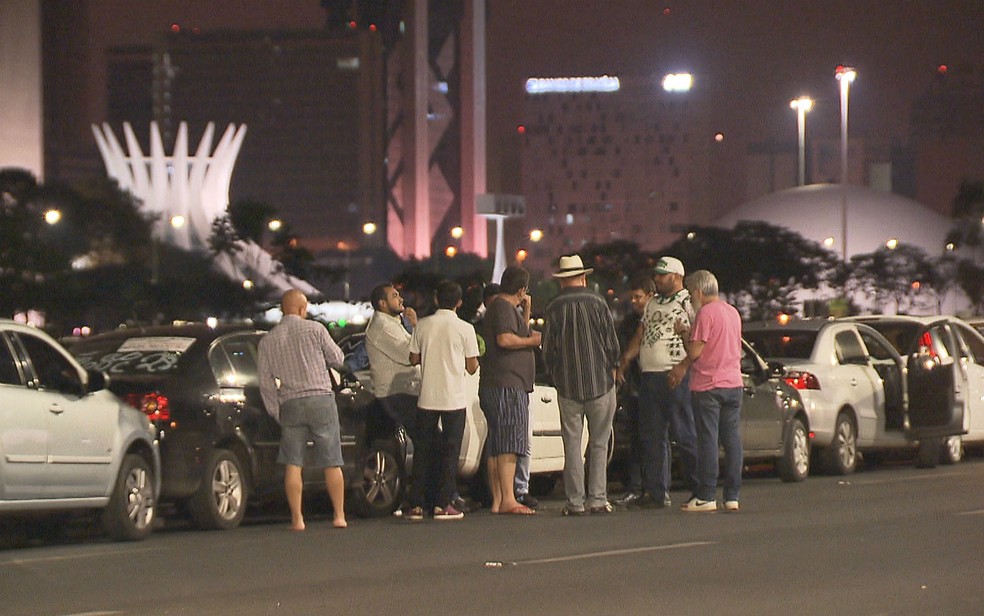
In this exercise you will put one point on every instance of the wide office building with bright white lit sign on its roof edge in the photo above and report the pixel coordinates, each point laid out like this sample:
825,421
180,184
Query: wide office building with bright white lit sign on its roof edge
613,159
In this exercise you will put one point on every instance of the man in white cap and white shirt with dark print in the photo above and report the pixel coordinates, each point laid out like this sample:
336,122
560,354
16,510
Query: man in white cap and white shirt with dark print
661,406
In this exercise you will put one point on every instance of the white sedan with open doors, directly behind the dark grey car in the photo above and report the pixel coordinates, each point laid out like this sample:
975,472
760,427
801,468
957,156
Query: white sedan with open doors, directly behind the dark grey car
859,393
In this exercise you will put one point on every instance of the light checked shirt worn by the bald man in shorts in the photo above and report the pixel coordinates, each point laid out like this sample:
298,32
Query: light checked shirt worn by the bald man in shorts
293,362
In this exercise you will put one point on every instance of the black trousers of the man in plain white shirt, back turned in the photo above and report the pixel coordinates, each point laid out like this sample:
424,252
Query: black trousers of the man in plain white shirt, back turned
436,451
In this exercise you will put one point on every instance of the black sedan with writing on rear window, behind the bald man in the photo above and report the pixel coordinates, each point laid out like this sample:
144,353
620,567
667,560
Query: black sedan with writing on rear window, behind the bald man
218,445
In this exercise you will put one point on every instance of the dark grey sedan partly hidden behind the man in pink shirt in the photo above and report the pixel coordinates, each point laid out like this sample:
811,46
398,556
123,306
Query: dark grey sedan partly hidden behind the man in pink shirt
774,424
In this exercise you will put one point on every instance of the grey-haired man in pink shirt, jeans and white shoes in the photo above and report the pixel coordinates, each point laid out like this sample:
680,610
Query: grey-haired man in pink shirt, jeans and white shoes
714,356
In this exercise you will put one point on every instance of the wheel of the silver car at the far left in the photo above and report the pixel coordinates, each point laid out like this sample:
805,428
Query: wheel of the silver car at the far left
130,513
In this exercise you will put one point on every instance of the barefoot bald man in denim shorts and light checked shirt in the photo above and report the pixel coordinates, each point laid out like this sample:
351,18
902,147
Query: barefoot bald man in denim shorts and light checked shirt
296,389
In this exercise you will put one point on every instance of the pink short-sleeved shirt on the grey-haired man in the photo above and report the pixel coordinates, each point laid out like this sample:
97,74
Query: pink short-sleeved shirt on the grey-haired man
718,326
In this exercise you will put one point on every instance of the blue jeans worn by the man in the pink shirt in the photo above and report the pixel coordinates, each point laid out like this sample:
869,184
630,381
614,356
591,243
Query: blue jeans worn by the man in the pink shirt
717,413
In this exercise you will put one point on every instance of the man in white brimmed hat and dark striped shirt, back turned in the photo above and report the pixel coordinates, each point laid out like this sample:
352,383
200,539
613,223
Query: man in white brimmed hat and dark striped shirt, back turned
580,347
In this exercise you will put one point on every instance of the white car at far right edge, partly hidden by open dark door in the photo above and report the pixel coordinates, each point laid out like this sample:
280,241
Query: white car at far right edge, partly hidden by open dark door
954,339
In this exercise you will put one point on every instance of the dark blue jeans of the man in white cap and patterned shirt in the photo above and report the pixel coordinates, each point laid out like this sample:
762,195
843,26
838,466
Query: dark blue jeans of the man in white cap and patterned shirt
662,409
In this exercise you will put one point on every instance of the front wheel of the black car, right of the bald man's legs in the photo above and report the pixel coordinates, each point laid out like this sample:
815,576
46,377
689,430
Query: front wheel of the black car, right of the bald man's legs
383,481
